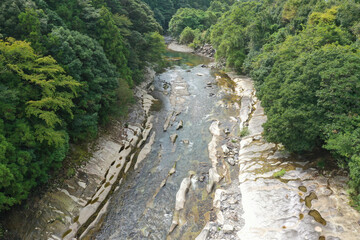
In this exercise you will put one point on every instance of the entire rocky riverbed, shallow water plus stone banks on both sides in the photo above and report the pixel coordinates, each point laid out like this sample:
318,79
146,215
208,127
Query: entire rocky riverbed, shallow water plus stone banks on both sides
199,168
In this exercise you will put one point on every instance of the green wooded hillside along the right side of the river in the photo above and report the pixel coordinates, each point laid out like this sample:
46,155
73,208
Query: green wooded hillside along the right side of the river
304,56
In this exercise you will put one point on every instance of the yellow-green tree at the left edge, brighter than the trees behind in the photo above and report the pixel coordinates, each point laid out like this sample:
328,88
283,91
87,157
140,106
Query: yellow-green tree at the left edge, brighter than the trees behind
36,96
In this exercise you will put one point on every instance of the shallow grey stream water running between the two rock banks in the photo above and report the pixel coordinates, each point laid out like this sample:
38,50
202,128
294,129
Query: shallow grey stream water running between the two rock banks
142,208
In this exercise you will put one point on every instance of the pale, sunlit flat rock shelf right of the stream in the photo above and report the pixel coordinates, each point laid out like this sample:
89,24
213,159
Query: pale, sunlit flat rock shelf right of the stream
299,204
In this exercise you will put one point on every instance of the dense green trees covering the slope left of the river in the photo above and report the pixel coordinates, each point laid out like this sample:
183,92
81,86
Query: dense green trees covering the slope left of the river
70,69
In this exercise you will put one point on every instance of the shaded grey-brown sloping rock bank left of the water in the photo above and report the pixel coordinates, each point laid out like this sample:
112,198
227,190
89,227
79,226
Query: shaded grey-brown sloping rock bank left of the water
76,207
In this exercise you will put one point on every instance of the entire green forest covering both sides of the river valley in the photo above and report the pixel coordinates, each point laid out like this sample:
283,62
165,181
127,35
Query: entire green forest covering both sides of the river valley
68,66
